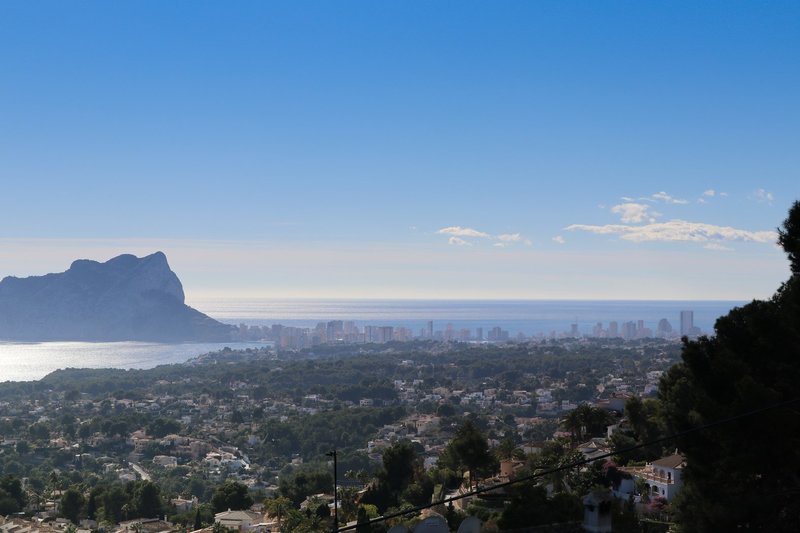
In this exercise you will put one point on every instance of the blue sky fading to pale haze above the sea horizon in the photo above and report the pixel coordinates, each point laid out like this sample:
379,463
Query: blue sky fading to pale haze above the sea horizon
419,149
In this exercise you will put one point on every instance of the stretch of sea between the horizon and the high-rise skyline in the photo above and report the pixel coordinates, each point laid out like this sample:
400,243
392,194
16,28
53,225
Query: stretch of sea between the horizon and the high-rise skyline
516,316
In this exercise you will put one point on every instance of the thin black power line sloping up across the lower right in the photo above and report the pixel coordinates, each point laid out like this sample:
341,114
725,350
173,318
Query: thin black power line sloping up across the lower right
572,465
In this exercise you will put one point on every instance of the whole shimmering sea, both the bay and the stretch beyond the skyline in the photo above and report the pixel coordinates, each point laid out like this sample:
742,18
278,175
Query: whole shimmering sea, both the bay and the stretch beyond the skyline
32,361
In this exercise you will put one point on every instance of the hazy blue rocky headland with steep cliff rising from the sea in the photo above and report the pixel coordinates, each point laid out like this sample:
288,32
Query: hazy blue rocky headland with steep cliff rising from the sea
127,298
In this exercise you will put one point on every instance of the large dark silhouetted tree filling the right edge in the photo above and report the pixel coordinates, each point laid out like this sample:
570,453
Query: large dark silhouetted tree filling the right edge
742,474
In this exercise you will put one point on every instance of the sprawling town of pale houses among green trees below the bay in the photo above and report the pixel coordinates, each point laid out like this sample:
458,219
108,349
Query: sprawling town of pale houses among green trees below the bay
240,418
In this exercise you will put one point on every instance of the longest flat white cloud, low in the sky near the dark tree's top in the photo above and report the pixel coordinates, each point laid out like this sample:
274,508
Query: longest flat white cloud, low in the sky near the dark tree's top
678,231
